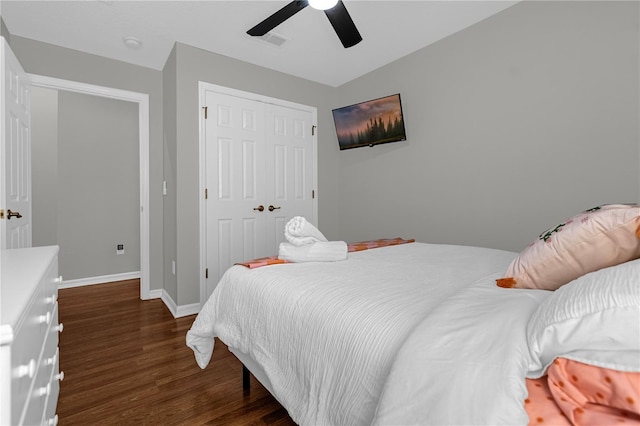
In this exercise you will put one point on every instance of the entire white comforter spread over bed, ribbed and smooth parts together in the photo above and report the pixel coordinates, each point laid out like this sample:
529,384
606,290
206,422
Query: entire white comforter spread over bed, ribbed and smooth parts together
328,334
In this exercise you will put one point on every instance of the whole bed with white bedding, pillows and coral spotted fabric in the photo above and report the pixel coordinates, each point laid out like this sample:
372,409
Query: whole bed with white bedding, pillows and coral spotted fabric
417,333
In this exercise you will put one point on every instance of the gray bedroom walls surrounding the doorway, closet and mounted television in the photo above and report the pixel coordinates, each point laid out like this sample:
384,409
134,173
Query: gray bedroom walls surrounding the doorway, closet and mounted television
513,124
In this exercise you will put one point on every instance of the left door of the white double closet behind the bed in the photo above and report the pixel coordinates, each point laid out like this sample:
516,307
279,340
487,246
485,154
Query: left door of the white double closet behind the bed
235,150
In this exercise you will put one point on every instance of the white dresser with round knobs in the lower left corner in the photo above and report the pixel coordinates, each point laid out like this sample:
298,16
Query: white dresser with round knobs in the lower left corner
29,373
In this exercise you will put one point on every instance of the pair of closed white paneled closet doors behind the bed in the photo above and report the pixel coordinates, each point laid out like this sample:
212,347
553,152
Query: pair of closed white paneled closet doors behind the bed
259,174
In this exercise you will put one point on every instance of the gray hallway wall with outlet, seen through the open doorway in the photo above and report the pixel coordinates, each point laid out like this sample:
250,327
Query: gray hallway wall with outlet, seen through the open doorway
98,186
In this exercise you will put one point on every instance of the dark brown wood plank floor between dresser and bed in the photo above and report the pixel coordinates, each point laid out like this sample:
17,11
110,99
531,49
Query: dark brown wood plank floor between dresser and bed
126,363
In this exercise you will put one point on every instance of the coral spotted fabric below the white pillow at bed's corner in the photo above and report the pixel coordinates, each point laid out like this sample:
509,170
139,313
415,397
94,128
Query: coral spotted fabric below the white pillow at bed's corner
574,393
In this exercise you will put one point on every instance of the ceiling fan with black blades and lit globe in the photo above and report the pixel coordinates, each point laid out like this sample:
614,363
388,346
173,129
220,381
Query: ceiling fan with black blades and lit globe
335,10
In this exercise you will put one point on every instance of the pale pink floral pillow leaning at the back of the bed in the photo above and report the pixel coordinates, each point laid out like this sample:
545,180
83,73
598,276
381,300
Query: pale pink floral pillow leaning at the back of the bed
597,238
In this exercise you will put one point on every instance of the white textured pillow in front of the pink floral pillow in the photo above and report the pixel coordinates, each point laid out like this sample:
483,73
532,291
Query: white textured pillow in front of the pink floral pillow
593,319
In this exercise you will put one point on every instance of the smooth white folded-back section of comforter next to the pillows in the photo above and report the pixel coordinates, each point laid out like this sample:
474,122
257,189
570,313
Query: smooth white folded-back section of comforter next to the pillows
473,353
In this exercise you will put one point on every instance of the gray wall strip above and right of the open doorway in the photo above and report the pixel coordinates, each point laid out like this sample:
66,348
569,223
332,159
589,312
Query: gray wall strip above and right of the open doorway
53,61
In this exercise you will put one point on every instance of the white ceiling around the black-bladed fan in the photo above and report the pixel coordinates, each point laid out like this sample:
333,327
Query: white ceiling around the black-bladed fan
390,30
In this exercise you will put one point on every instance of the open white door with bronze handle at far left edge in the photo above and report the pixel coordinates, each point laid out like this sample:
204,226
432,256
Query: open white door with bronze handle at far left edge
15,147
